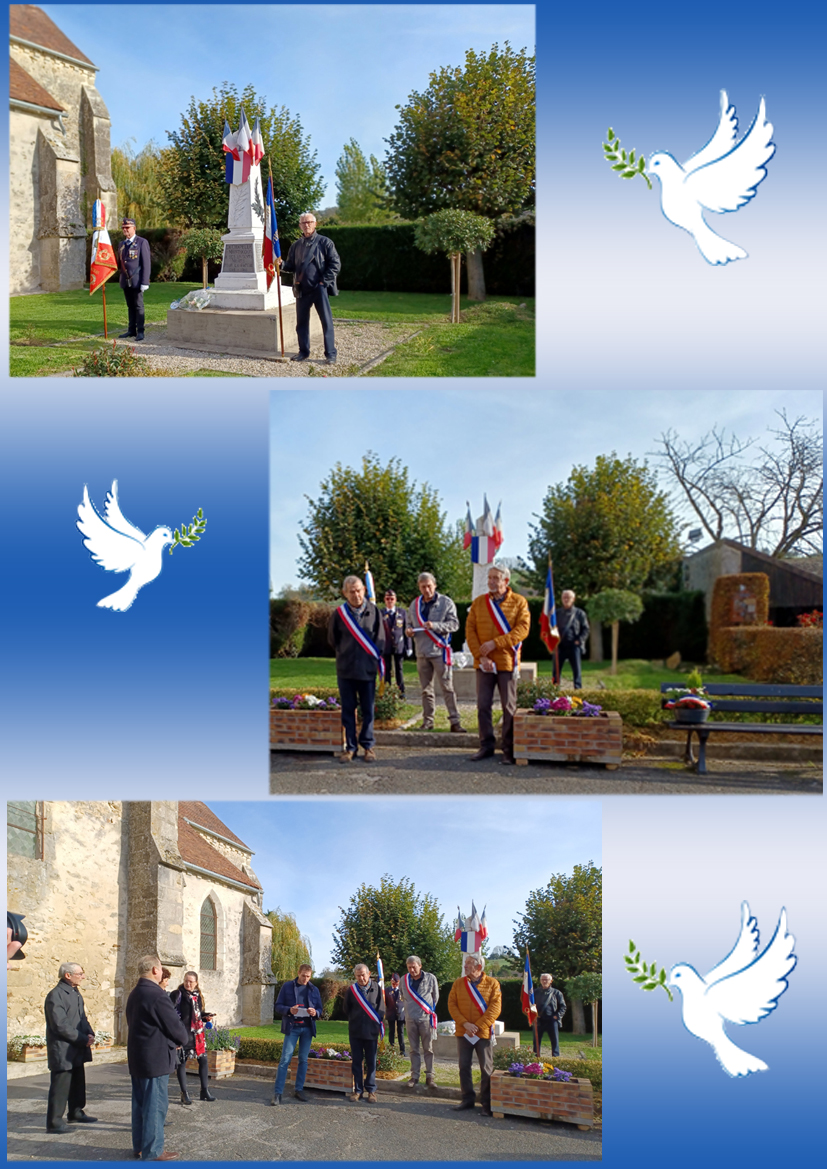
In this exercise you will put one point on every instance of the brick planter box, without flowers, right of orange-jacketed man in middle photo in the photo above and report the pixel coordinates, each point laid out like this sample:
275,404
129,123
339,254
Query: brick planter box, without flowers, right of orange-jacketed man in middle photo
569,739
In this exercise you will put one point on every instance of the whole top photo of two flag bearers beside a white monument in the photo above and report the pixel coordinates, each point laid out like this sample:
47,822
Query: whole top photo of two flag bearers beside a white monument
322,209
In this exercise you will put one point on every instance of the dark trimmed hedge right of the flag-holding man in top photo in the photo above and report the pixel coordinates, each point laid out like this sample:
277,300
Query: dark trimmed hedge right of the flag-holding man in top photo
385,259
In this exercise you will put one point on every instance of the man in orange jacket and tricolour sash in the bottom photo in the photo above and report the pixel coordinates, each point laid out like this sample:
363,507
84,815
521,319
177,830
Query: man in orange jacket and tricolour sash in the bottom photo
475,1002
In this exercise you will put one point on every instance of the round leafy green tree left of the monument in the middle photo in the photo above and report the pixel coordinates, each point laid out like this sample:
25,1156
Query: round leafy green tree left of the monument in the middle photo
380,515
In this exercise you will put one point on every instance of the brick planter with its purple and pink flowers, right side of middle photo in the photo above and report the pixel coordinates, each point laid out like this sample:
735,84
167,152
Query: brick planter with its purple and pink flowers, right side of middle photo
566,729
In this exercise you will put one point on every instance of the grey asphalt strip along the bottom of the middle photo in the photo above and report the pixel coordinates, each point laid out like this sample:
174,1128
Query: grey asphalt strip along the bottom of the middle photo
419,771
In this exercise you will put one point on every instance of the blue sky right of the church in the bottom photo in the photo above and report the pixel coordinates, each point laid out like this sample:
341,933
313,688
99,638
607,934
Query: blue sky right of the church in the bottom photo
312,855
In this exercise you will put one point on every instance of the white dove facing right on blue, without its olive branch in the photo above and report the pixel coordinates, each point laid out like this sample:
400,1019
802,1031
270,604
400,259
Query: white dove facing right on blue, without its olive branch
120,548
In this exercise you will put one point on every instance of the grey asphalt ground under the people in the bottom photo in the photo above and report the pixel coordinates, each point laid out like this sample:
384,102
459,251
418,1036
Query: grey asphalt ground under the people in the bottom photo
240,1126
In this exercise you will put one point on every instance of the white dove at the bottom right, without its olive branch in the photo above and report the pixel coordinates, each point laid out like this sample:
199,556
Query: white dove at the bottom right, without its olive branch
741,990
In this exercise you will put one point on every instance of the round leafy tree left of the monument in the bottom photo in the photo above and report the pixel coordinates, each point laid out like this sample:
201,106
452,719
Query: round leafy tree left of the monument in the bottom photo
394,921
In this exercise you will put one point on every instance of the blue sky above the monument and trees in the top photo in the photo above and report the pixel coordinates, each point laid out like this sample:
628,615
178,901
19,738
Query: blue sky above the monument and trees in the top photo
348,88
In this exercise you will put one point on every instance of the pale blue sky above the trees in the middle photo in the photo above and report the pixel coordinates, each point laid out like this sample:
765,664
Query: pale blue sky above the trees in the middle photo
492,440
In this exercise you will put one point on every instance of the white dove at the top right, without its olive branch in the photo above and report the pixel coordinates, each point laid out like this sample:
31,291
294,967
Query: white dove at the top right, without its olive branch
720,178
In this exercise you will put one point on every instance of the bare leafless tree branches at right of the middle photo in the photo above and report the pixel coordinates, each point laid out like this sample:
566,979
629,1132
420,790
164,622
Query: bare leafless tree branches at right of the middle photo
768,497
